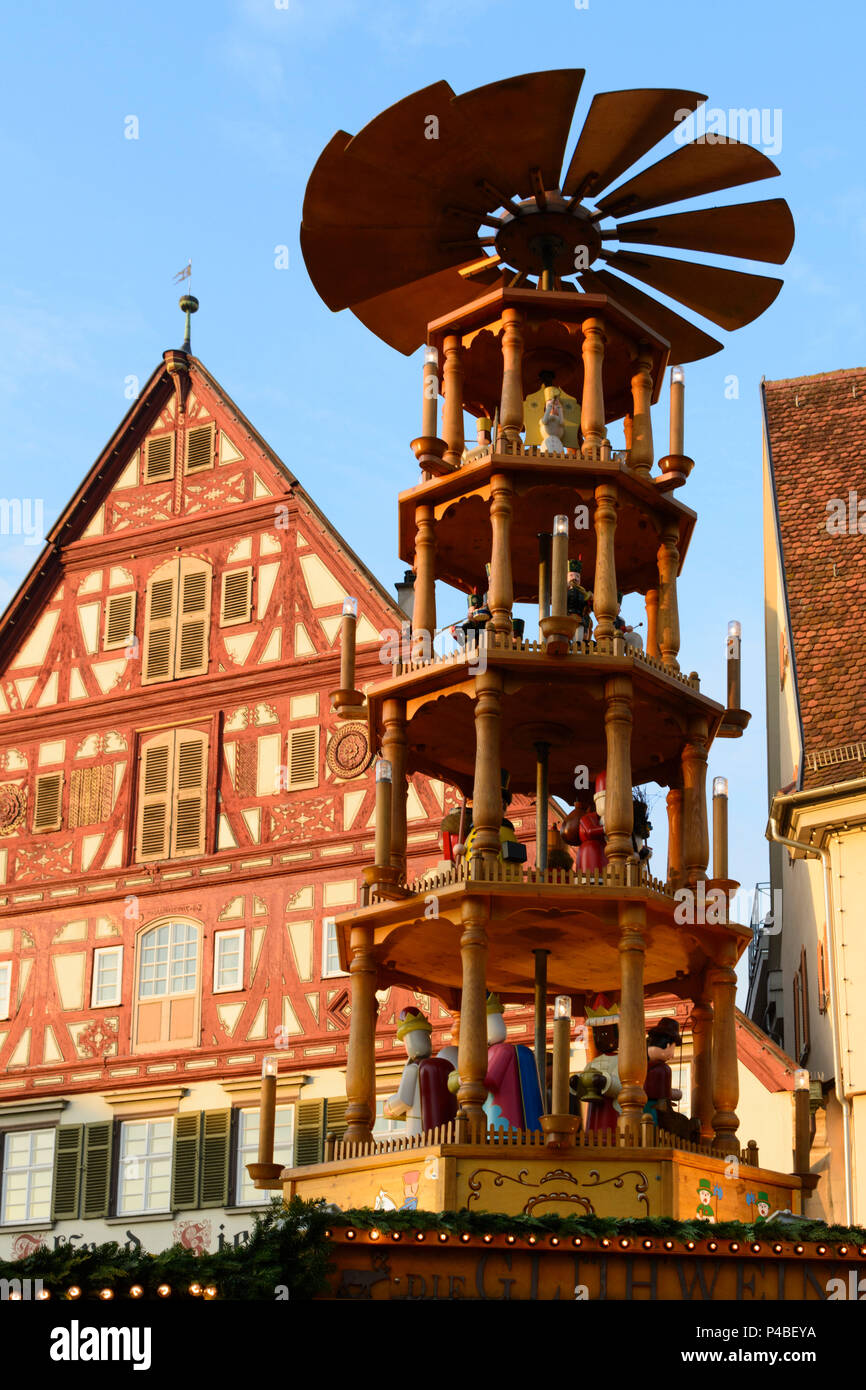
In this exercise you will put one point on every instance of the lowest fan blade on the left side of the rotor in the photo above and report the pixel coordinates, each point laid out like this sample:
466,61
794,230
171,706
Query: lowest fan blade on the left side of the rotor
401,316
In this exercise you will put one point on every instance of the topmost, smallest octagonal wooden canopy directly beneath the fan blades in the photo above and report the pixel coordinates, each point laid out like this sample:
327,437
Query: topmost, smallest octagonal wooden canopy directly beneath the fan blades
553,341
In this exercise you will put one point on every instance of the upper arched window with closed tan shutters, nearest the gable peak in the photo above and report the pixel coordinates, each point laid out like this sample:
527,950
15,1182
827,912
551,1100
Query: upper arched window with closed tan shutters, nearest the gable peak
177,621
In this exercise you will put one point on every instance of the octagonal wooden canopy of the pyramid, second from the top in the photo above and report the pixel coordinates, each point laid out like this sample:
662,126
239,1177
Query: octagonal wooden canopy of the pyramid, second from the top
546,486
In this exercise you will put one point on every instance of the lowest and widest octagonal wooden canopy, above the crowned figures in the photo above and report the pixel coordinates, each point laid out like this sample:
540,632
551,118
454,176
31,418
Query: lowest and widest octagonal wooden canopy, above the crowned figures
578,924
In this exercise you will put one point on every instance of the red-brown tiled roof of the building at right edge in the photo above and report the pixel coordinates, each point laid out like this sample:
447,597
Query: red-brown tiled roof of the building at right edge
817,432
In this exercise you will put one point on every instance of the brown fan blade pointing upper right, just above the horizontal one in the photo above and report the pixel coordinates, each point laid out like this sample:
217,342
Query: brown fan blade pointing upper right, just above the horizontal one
693,170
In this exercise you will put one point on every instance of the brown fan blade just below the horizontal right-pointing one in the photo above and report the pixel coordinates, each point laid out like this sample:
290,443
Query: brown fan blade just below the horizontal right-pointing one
728,297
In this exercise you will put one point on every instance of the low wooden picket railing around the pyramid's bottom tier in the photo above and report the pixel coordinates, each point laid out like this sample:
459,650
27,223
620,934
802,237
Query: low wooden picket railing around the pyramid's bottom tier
464,1132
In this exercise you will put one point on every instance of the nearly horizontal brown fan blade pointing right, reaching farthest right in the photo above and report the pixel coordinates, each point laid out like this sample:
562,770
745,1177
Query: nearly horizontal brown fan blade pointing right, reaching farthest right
754,231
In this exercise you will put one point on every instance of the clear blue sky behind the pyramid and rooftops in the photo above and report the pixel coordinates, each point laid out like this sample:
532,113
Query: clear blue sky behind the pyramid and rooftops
234,104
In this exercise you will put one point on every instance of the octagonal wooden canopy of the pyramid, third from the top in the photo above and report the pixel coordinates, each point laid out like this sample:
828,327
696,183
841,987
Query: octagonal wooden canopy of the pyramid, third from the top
559,701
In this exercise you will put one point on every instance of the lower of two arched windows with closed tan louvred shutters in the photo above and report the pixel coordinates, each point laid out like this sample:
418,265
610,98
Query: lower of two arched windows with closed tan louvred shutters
173,796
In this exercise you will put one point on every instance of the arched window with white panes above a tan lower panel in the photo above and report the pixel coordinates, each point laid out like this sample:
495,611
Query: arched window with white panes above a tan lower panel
168,986
